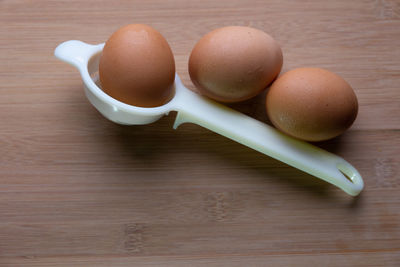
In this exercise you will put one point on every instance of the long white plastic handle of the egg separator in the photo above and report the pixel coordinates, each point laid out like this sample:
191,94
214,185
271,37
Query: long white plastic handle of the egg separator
266,139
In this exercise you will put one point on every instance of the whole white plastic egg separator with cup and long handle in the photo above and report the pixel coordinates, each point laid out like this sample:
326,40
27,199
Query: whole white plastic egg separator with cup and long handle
192,107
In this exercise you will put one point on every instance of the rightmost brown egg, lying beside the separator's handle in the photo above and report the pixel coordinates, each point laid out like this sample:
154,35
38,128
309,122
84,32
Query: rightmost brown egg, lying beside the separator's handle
311,104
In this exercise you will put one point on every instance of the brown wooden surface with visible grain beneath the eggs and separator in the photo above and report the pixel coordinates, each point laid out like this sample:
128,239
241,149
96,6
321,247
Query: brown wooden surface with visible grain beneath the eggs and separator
78,190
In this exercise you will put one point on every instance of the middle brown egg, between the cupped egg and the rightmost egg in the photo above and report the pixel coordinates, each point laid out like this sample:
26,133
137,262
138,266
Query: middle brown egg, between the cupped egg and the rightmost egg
234,63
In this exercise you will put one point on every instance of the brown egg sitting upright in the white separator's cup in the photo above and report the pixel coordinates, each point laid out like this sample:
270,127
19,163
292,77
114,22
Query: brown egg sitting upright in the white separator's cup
137,67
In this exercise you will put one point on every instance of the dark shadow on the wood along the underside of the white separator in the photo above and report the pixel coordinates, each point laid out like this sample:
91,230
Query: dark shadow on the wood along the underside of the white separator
146,143
